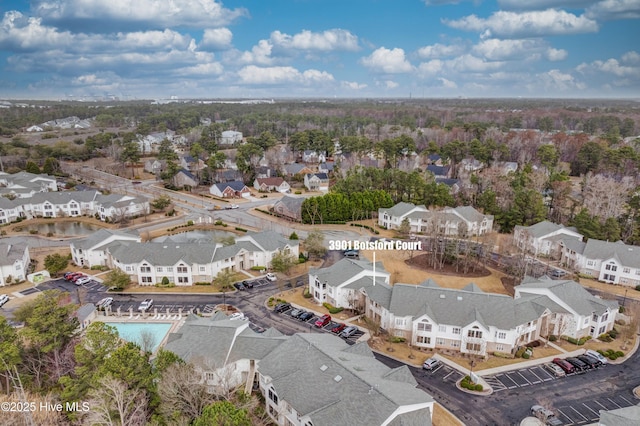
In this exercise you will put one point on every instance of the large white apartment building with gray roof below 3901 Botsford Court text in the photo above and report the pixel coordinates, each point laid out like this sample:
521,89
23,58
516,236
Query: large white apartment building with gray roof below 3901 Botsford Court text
467,320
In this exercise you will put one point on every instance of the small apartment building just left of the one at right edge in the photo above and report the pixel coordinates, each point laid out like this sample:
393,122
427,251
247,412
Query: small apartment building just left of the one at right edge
544,238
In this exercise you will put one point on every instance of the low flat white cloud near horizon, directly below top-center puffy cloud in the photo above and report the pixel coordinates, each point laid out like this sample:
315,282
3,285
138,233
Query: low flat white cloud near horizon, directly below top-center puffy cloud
252,74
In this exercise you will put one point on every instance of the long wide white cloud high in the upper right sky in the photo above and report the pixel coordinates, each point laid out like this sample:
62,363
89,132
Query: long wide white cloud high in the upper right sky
526,24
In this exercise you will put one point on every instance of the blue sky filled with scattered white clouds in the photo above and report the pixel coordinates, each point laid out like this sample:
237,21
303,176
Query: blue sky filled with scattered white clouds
53,49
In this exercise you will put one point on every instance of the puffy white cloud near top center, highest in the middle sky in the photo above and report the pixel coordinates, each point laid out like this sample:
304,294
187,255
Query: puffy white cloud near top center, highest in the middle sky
326,41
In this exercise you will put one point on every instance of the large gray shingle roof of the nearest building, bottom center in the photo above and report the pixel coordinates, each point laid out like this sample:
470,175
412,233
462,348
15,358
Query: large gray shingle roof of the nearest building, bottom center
348,388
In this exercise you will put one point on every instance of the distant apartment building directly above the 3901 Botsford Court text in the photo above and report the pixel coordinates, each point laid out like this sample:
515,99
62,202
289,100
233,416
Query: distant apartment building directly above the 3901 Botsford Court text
449,221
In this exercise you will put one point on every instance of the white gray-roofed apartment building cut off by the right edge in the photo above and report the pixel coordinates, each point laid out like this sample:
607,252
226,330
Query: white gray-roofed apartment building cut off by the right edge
615,263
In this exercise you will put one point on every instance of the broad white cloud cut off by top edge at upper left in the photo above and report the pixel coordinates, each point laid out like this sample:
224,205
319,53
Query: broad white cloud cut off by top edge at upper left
155,13
